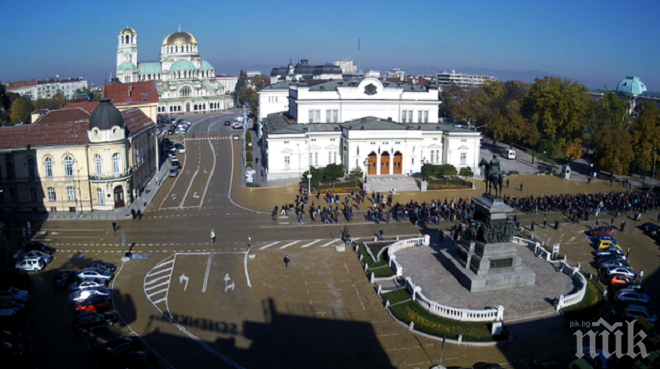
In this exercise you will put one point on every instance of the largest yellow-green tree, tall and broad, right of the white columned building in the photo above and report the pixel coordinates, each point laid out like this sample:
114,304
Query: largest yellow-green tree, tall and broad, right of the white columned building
558,107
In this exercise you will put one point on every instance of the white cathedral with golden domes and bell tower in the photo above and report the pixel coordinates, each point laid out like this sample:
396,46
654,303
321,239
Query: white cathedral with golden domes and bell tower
185,82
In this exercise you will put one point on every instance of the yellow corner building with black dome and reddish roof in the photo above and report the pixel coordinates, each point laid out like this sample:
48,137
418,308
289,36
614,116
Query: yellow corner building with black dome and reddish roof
76,162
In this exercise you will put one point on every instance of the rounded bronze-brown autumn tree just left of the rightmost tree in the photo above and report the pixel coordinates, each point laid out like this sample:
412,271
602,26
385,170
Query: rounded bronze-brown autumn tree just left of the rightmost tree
614,151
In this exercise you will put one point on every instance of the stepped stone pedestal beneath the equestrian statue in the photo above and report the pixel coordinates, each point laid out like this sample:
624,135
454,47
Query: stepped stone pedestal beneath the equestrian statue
486,259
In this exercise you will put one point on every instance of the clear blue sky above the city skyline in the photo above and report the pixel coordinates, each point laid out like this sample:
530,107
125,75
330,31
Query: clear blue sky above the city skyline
595,42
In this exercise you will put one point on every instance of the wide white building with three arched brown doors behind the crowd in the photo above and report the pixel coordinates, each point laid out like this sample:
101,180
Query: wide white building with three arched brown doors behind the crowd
382,127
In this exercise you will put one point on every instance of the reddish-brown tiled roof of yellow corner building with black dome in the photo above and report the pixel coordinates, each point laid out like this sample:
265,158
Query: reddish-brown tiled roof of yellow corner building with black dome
65,131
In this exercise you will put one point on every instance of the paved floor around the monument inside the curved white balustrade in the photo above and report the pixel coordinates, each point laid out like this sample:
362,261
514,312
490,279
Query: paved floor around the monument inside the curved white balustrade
423,265
